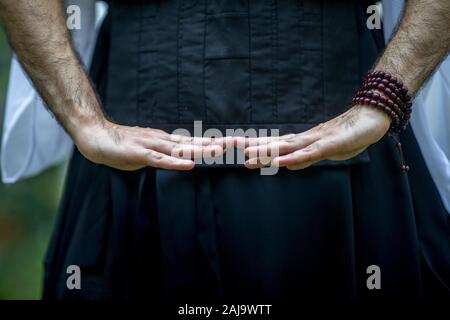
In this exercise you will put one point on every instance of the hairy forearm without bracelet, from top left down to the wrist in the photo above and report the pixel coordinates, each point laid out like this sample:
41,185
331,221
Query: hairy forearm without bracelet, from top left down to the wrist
38,34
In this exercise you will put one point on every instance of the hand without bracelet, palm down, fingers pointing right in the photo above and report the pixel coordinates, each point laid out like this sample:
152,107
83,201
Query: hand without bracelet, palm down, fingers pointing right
132,148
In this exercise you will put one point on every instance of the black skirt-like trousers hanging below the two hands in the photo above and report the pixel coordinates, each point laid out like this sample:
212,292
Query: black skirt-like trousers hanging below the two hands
232,233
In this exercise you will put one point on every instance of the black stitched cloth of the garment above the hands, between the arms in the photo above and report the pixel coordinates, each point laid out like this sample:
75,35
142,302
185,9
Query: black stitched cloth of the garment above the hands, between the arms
283,64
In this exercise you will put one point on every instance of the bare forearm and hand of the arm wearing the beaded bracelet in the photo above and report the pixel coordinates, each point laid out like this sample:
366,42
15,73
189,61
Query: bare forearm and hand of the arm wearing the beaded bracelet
420,43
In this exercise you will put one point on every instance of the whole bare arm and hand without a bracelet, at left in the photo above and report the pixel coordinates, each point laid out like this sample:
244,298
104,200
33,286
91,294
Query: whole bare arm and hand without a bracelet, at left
38,34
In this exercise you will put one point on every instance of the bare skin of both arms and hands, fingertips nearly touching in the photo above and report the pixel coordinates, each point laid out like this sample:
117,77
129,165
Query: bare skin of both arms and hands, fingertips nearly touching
420,44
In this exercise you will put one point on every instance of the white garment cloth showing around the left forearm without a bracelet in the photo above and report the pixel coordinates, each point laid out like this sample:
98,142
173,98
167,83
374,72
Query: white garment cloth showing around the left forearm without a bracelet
32,139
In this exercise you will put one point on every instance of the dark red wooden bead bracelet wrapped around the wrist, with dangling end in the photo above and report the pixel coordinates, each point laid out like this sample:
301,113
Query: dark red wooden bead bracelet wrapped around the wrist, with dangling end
384,91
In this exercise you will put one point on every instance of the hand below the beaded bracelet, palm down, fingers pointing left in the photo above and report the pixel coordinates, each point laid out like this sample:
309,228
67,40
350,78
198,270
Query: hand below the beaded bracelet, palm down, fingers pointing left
338,139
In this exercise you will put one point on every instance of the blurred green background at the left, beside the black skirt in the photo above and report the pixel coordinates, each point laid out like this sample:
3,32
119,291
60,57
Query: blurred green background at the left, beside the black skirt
27,213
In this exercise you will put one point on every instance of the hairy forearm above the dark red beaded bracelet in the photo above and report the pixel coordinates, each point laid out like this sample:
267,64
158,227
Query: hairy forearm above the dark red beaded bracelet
421,42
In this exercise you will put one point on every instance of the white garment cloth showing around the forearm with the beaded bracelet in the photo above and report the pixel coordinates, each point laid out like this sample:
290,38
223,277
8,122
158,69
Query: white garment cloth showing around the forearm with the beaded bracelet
431,113
